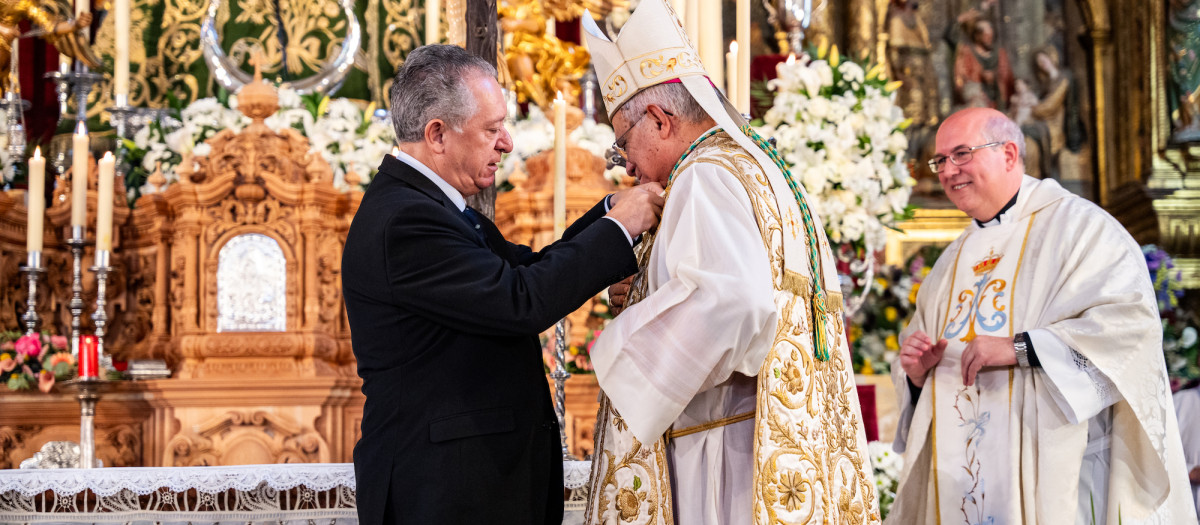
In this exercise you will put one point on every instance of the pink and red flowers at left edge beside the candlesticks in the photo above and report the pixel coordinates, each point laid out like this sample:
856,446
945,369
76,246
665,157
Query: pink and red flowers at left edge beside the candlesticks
34,360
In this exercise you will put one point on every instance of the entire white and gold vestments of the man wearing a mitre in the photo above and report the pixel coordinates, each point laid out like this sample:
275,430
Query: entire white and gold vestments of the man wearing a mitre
712,307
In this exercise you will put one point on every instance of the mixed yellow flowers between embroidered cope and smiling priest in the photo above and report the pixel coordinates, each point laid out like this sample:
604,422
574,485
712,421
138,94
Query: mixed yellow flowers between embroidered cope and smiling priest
877,327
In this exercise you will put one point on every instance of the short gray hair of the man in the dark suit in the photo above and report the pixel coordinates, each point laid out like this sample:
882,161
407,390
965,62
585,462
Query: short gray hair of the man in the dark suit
431,85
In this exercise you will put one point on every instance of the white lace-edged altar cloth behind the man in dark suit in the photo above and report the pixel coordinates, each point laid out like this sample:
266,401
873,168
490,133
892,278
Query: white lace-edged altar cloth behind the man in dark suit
260,494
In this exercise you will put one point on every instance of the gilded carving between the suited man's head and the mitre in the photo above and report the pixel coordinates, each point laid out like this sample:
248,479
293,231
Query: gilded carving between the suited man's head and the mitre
541,65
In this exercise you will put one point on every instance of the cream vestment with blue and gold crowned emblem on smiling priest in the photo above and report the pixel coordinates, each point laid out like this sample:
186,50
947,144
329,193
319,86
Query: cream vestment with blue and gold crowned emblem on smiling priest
1088,438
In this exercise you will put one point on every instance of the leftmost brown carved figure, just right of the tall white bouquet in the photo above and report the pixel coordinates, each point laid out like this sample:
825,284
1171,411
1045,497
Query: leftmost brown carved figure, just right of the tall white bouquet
910,62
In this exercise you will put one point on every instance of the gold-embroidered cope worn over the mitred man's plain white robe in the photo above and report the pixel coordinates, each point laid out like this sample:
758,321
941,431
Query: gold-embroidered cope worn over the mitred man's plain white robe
811,450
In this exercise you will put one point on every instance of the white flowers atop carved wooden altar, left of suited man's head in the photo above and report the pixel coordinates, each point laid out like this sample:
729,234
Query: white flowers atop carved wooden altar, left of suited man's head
349,138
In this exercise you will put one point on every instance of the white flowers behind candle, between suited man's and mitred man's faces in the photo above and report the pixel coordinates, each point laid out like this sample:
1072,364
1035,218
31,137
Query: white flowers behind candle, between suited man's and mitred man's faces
536,134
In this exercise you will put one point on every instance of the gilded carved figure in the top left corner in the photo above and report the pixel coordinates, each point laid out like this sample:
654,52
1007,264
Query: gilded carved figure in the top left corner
65,35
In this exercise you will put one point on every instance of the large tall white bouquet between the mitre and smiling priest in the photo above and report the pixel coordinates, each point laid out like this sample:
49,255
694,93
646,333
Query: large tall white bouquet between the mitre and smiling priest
839,129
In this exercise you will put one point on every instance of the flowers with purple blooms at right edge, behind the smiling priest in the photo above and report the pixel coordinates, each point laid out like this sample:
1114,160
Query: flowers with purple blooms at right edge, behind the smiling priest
1180,335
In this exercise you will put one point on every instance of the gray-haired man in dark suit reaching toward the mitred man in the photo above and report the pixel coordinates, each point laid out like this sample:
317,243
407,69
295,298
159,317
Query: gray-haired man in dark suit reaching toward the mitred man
446,313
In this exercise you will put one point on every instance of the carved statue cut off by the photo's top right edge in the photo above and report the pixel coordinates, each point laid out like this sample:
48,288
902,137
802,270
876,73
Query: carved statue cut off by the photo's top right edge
1184,47
